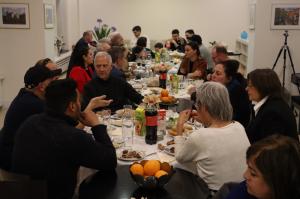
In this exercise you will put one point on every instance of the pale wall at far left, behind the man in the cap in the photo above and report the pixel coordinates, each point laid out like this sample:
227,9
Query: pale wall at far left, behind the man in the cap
20,49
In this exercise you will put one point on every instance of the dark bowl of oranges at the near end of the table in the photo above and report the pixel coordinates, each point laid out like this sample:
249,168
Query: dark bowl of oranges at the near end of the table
151,174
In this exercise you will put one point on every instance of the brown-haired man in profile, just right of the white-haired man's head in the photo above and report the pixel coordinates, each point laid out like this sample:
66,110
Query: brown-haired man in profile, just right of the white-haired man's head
119,59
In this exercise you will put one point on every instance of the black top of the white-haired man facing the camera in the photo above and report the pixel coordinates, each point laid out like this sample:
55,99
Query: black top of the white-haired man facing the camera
120,91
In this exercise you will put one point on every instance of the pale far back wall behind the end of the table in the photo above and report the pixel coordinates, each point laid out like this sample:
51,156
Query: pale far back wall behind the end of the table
220,20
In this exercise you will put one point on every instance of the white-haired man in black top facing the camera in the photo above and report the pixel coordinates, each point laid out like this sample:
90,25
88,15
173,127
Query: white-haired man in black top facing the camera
114,88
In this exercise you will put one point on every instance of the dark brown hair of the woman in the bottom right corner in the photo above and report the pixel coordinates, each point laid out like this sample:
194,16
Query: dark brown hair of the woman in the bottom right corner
277,157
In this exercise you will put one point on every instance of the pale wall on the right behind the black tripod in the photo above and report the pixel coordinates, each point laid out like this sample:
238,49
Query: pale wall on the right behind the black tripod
268,43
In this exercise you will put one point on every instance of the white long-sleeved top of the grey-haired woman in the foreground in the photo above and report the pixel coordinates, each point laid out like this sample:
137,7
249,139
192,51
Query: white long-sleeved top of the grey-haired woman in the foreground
218,153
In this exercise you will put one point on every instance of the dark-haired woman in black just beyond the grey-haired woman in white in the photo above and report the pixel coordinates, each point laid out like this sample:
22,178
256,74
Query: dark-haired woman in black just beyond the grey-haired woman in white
226,74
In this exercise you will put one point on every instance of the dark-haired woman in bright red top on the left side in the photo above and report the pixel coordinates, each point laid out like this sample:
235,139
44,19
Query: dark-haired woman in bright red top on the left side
82,72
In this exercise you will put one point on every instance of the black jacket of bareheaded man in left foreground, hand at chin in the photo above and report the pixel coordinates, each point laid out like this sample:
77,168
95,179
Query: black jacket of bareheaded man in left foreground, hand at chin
49,147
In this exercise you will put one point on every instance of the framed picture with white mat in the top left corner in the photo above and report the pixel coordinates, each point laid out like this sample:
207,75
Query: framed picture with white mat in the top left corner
14,15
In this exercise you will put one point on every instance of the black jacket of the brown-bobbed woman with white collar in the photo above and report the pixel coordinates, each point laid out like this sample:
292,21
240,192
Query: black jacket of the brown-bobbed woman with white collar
273,117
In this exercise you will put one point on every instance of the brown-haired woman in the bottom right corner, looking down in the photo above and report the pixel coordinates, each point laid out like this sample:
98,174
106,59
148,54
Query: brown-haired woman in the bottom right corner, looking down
273,170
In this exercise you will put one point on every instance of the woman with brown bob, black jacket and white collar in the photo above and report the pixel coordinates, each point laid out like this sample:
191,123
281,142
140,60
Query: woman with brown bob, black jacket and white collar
271,113
